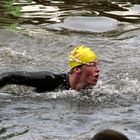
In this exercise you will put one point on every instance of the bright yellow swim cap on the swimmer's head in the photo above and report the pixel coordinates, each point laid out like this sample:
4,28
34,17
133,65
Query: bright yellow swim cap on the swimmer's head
81,55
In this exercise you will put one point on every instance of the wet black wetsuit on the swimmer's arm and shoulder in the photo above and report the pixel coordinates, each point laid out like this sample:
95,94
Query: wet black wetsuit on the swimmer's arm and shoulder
42,81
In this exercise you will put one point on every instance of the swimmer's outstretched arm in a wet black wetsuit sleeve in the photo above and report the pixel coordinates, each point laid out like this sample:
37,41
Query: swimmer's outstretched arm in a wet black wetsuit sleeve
33,79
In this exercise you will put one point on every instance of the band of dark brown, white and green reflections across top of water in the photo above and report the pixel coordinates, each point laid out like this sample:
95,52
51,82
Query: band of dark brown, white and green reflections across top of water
46,11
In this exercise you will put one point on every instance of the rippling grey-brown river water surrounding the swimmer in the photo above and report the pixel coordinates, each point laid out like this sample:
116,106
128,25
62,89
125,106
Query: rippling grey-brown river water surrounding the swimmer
37,35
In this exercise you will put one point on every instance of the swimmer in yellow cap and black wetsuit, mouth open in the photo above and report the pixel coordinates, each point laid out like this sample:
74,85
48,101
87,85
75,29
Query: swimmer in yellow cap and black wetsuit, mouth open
84,72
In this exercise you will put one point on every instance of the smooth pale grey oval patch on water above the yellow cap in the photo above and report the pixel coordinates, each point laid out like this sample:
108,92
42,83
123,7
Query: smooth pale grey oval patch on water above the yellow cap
86,24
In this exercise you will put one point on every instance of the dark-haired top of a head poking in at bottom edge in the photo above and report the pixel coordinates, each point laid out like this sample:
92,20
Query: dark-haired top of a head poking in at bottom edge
109,134
